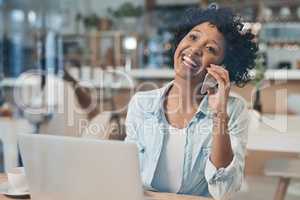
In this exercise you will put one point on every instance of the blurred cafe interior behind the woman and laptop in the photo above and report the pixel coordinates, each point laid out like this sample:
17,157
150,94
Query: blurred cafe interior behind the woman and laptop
69,67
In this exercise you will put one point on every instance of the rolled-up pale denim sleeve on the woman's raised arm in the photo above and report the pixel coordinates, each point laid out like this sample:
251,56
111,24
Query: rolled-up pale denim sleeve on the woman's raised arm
223,182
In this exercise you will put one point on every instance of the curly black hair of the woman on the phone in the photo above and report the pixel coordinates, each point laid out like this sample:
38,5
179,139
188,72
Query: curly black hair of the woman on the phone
240,50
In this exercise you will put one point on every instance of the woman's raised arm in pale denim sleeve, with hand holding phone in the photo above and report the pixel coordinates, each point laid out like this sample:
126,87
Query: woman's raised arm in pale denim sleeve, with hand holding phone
225,165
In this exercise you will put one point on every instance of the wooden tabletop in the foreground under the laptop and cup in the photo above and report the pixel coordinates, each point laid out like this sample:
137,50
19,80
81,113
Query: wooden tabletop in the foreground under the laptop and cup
148,194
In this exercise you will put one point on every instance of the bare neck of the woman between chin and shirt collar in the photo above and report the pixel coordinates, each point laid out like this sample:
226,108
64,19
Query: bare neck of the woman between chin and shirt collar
186,93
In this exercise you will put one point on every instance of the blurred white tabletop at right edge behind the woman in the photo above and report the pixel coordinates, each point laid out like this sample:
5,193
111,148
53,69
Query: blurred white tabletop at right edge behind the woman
278,133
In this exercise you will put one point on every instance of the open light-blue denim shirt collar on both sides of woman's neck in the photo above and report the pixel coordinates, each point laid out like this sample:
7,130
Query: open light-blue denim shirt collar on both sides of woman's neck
158,108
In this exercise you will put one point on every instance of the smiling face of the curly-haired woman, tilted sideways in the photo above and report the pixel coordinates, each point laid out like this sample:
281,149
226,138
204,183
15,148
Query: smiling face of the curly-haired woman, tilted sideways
202,46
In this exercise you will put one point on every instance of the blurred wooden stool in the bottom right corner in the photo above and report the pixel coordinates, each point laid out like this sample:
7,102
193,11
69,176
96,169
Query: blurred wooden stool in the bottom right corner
285,170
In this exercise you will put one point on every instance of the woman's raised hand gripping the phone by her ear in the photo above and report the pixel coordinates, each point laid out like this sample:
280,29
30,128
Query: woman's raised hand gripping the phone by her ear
217,99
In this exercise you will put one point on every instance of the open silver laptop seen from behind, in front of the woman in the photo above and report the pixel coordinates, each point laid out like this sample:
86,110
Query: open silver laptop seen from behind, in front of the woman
68,168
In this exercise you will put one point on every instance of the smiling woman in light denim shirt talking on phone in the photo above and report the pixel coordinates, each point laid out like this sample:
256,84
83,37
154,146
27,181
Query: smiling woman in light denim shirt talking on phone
191,143
